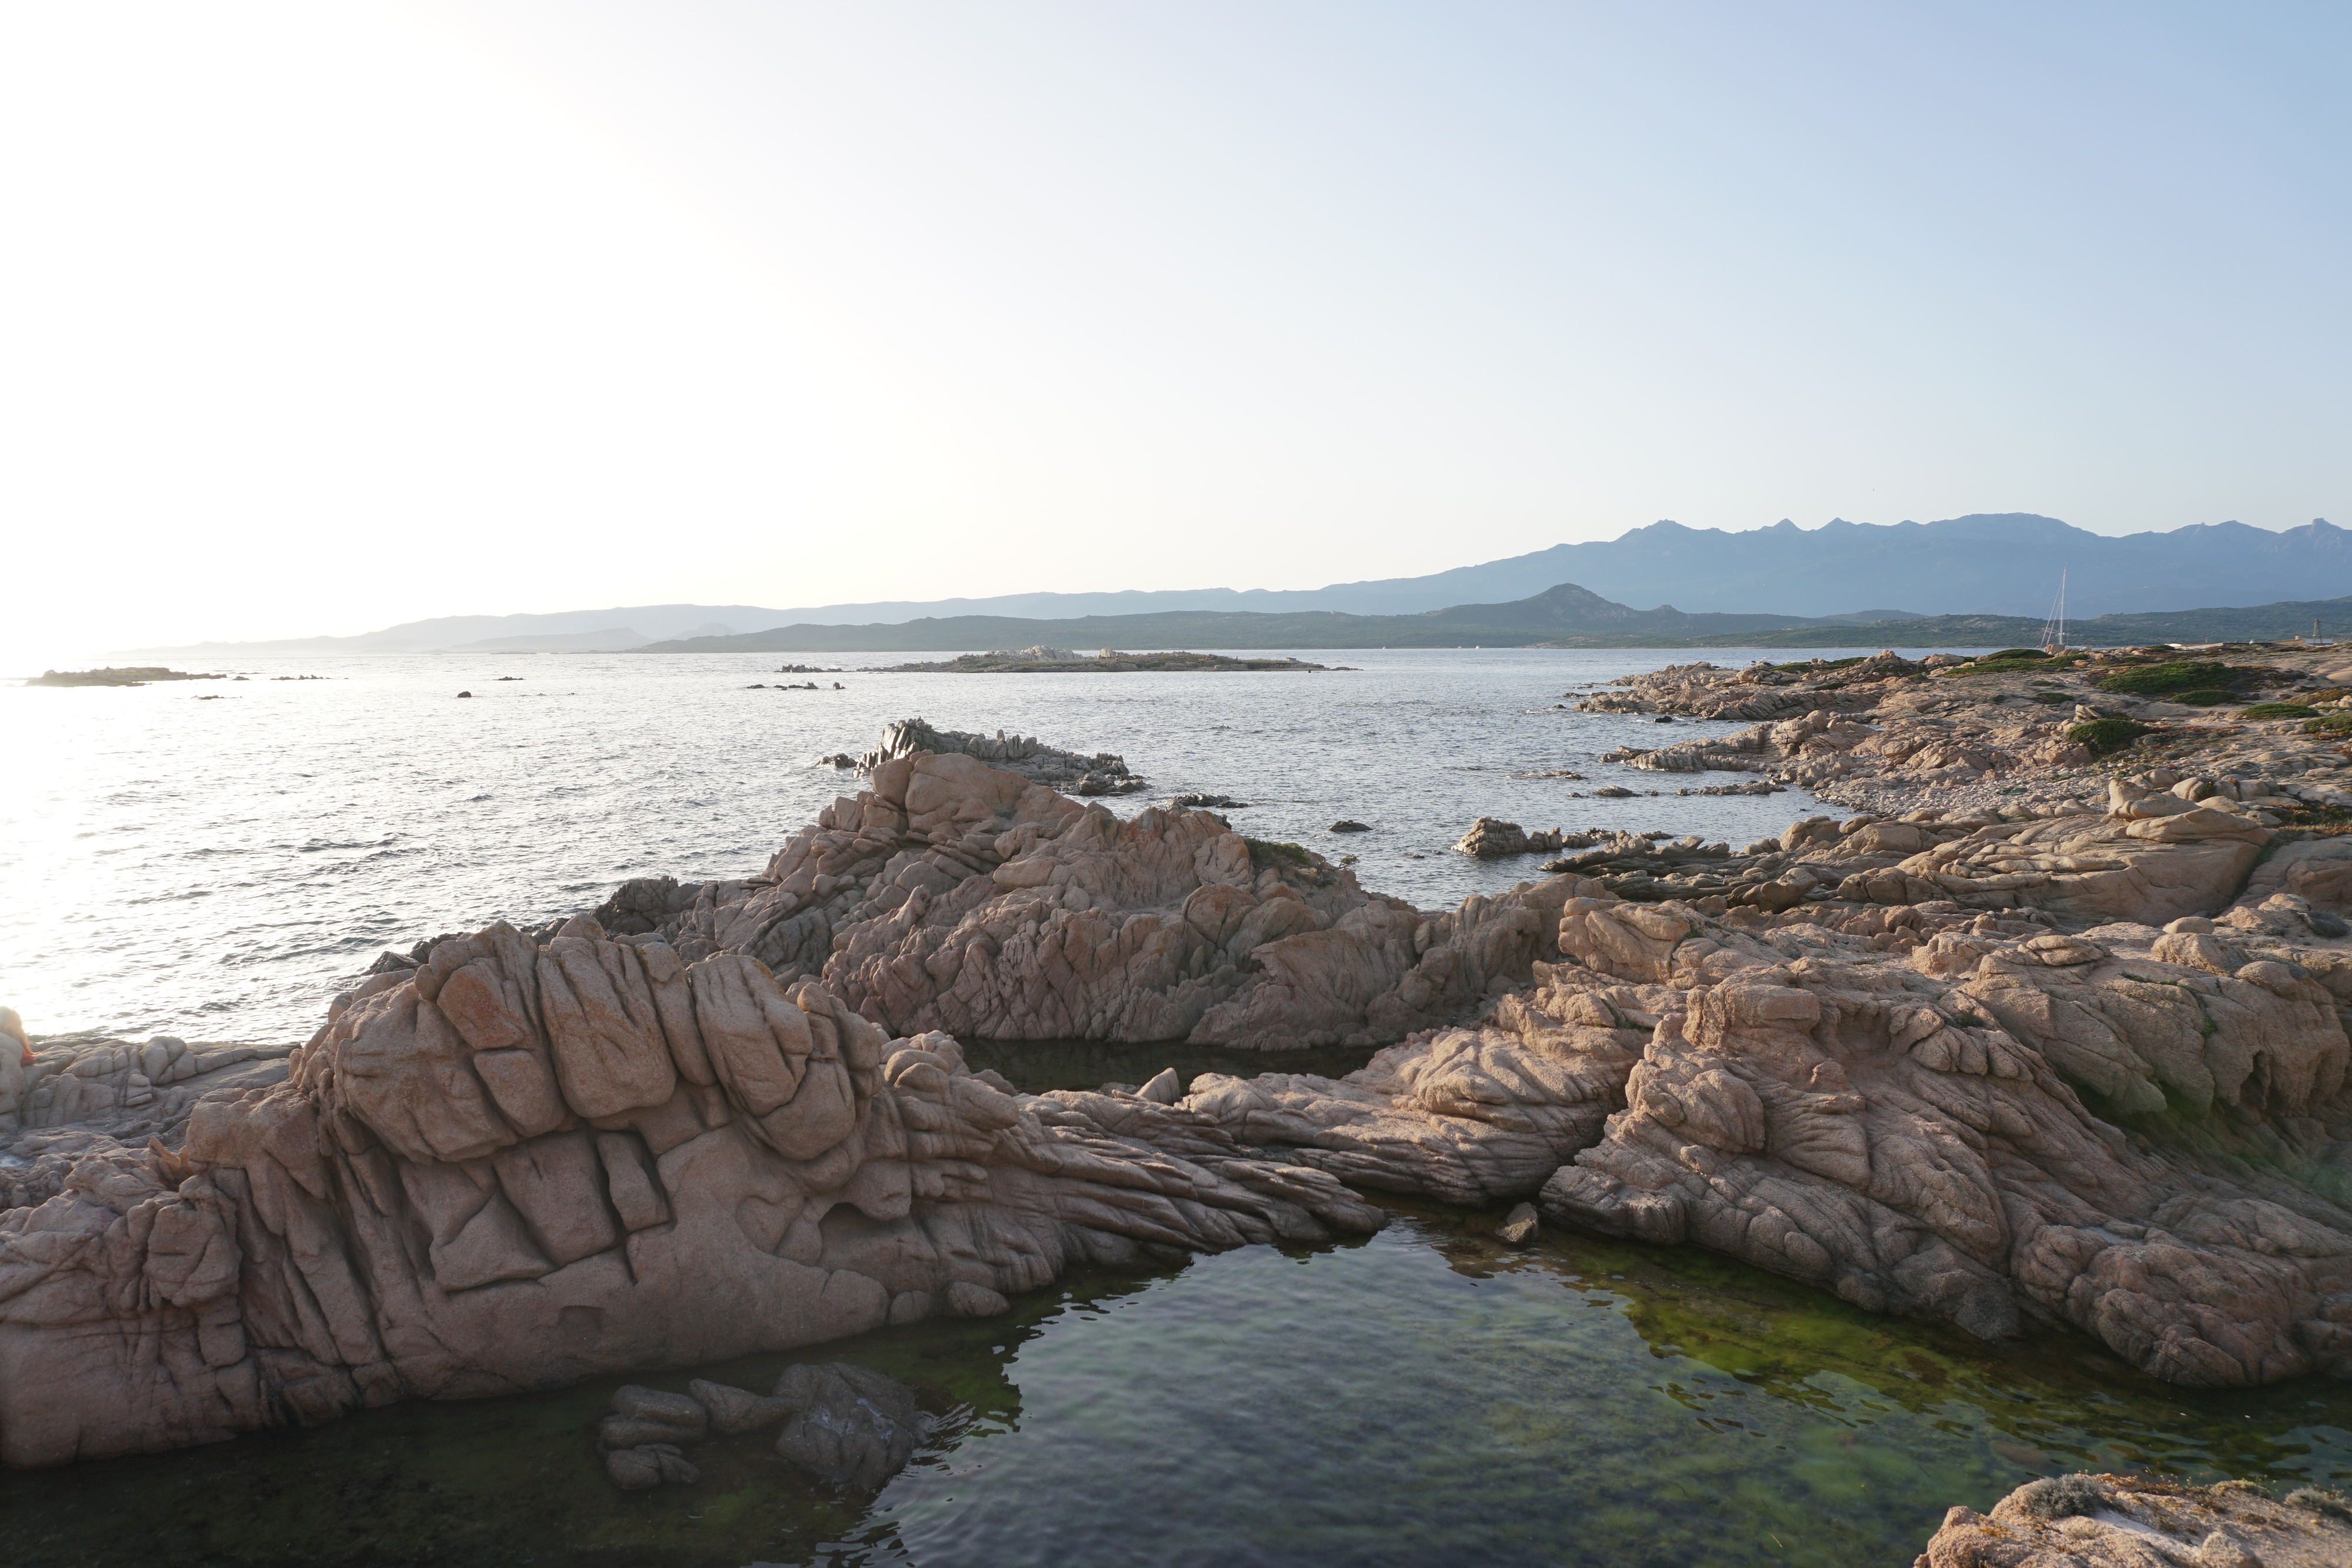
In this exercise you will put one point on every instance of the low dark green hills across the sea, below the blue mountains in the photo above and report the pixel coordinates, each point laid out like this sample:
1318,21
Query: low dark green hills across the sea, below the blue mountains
1565,617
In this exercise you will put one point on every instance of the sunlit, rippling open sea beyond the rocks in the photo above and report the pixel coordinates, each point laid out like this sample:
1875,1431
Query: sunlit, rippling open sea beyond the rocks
220,869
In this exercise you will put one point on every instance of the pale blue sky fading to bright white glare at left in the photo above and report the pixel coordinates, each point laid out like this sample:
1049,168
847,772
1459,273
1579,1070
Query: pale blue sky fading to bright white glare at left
319,319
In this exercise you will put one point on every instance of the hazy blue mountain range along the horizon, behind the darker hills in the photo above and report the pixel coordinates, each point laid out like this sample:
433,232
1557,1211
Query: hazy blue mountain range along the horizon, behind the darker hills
1979,565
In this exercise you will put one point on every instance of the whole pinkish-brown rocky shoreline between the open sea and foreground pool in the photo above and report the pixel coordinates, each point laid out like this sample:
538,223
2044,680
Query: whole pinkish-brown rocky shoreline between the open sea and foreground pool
2071,1061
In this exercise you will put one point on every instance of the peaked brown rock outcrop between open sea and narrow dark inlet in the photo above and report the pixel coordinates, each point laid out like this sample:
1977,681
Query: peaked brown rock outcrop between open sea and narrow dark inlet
961,897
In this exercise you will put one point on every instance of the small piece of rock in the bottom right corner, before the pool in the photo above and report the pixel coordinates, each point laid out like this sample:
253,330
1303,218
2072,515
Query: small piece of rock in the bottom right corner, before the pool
2123,1522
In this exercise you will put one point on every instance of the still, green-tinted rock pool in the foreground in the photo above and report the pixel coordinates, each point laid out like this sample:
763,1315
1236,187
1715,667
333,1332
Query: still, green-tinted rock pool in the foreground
1419,1398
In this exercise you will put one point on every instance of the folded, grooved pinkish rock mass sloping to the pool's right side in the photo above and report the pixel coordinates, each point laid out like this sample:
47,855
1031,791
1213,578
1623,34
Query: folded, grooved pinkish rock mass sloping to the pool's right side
1904,1125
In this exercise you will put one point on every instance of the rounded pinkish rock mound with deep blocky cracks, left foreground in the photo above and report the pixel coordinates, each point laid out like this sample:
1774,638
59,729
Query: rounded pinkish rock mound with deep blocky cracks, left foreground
523,1165
